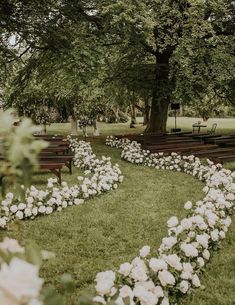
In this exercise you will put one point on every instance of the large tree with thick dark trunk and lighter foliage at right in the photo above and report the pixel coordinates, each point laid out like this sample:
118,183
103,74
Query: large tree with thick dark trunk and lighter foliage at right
188,44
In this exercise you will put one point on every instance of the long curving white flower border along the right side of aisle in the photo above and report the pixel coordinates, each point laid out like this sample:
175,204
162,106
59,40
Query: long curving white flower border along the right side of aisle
174,270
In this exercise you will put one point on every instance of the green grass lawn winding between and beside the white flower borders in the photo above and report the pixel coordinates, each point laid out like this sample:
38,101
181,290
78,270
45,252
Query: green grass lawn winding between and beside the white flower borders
110,229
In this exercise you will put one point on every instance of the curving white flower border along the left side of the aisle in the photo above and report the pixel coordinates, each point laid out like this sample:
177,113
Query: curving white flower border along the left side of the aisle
99,176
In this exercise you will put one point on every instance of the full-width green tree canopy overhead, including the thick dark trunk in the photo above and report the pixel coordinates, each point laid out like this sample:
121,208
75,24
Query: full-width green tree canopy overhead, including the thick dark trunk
91,51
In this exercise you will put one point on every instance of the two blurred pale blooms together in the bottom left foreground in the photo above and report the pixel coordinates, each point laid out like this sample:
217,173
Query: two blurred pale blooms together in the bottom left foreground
20,283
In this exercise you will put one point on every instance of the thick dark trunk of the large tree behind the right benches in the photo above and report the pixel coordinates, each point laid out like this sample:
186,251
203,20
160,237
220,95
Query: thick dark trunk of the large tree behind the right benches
161,96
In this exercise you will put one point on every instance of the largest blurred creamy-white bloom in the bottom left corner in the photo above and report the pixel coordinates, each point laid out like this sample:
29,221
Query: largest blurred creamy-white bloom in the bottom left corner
19,281
